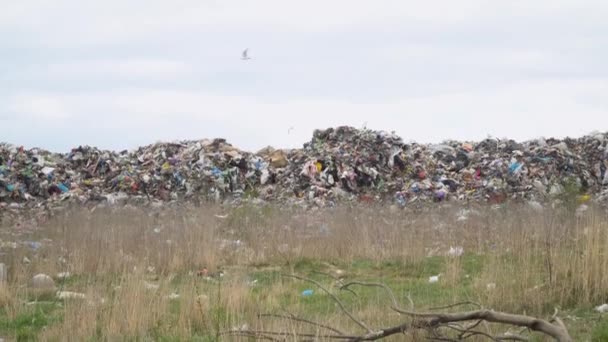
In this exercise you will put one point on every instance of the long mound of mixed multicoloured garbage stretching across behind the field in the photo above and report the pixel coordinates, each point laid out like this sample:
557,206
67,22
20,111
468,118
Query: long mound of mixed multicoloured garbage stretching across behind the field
342,164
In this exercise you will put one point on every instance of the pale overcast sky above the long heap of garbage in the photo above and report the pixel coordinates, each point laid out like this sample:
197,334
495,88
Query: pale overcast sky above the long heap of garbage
120,74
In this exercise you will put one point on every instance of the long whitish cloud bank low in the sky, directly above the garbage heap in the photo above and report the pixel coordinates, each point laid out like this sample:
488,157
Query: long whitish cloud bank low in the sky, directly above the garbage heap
522,111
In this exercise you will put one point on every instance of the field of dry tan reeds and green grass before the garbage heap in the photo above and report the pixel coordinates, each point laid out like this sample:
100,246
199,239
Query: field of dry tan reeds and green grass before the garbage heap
140,271
